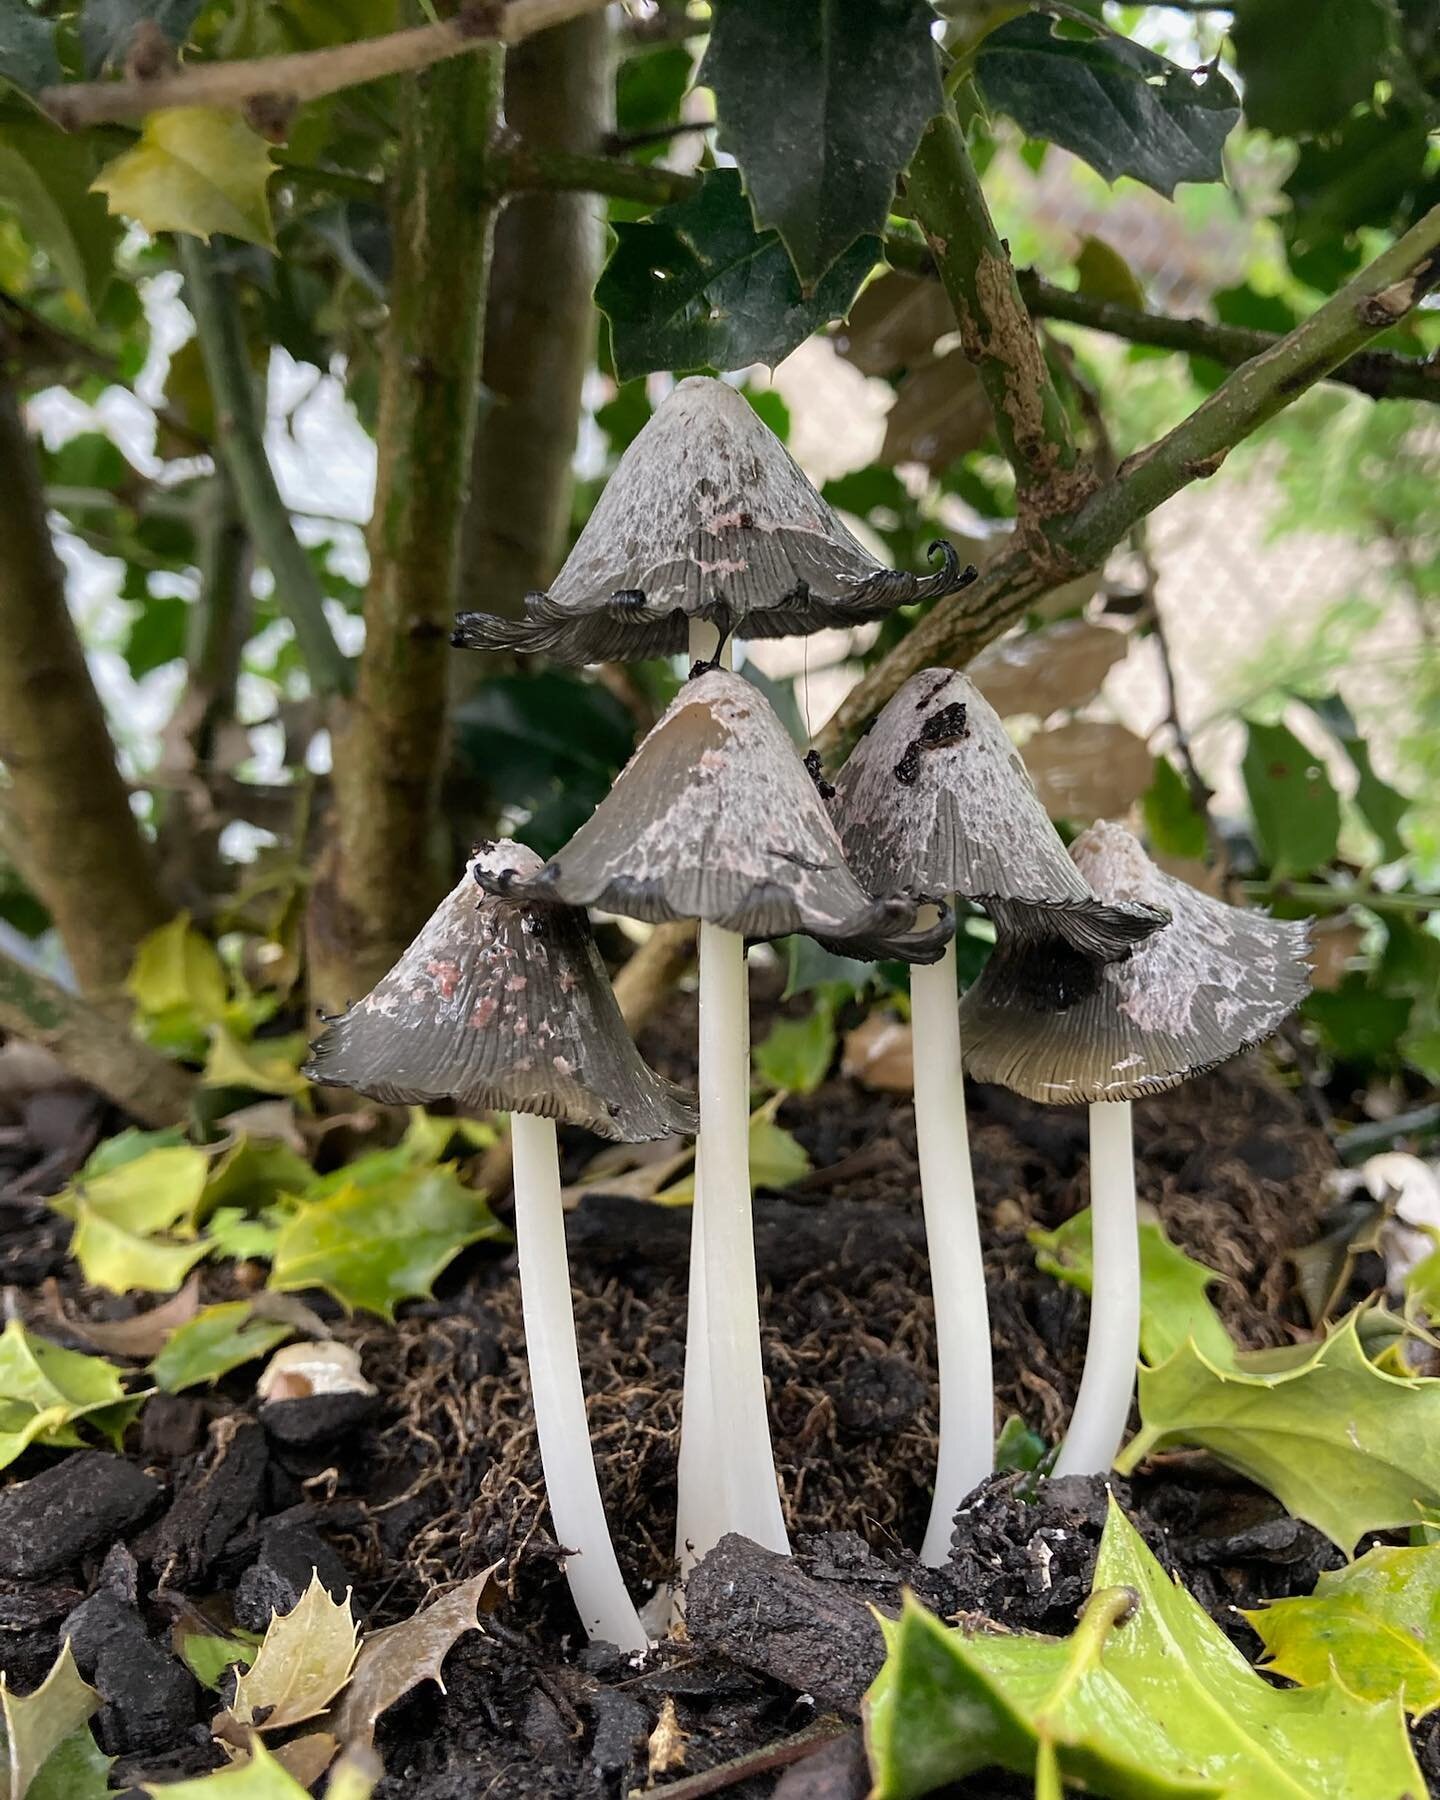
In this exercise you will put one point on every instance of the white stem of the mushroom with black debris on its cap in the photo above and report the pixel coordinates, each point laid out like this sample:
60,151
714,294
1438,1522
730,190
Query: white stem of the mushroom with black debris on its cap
962,1315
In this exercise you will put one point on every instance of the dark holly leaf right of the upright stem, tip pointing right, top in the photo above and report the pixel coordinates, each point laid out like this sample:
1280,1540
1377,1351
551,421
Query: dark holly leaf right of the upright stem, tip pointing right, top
1120,107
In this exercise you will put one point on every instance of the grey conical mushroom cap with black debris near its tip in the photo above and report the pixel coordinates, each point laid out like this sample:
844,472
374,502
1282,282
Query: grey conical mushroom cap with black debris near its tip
937,800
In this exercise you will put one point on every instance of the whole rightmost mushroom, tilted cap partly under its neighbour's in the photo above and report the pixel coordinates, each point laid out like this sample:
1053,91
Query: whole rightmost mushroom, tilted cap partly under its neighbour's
1214,982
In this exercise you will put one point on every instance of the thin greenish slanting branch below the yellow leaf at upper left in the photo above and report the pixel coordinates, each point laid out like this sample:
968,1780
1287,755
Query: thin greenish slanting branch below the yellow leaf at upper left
242,449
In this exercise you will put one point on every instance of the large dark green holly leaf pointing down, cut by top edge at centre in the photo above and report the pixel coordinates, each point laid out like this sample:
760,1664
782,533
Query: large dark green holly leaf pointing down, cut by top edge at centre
822,103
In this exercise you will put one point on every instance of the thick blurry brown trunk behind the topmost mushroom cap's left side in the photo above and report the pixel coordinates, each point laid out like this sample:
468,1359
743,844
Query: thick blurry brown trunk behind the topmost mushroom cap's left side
539,334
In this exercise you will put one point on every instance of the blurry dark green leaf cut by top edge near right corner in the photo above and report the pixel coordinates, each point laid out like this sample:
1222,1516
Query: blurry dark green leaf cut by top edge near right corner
1306,64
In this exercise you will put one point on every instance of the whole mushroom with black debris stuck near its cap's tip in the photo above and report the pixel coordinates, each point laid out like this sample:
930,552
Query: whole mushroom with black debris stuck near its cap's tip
939,802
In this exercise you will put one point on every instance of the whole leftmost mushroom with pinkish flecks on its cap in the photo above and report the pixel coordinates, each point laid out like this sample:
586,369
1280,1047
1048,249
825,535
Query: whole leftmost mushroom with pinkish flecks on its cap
505,1007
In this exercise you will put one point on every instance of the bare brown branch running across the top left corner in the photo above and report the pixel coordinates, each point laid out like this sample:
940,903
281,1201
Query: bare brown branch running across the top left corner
310,75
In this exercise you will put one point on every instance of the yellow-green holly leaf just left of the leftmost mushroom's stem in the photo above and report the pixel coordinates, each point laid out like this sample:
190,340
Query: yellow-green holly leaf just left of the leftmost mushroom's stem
381,1243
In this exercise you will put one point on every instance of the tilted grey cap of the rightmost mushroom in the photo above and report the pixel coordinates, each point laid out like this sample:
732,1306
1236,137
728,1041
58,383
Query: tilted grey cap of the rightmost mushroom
1212,984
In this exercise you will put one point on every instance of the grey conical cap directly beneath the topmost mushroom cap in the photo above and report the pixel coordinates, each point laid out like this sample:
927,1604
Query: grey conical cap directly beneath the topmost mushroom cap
715,818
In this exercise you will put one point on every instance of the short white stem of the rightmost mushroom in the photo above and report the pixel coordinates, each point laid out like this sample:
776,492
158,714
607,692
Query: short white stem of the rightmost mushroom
1108,1385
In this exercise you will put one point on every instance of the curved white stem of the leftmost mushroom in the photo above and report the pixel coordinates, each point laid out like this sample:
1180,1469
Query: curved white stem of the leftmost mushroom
557,1394
